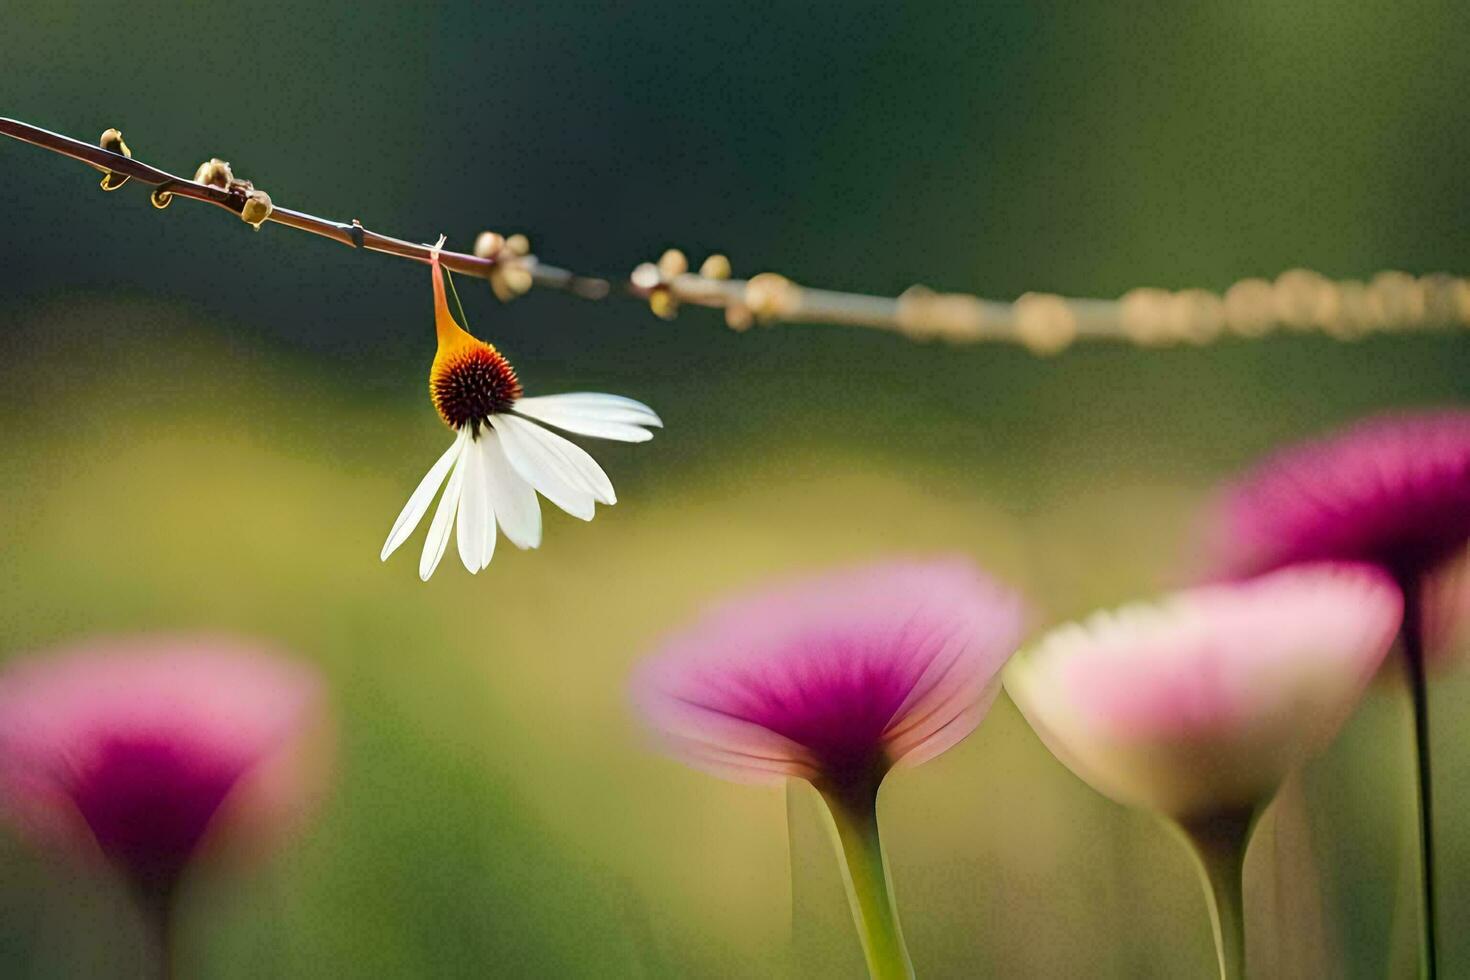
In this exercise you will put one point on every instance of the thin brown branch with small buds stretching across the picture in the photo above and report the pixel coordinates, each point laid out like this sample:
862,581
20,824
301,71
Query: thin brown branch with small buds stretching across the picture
1043,323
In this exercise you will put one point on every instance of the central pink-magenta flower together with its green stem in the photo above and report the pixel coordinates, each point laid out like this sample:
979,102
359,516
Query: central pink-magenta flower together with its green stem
836,681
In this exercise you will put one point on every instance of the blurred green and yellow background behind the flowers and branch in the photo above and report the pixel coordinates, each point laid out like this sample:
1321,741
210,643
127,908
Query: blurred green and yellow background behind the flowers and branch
214,428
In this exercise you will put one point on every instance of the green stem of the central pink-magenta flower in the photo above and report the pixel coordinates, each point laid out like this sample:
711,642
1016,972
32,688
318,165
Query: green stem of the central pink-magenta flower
870,888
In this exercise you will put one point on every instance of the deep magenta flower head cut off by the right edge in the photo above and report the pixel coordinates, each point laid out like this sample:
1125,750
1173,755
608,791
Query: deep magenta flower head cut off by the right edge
1393,491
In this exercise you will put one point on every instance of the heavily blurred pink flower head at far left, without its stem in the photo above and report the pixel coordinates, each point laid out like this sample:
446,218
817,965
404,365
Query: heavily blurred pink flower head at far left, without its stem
140,749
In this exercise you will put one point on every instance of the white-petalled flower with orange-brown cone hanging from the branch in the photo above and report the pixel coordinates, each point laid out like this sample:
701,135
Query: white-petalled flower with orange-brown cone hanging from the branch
501,456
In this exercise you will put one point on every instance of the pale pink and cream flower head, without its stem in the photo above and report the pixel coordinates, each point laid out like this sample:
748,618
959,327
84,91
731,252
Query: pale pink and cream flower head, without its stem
1208,700
